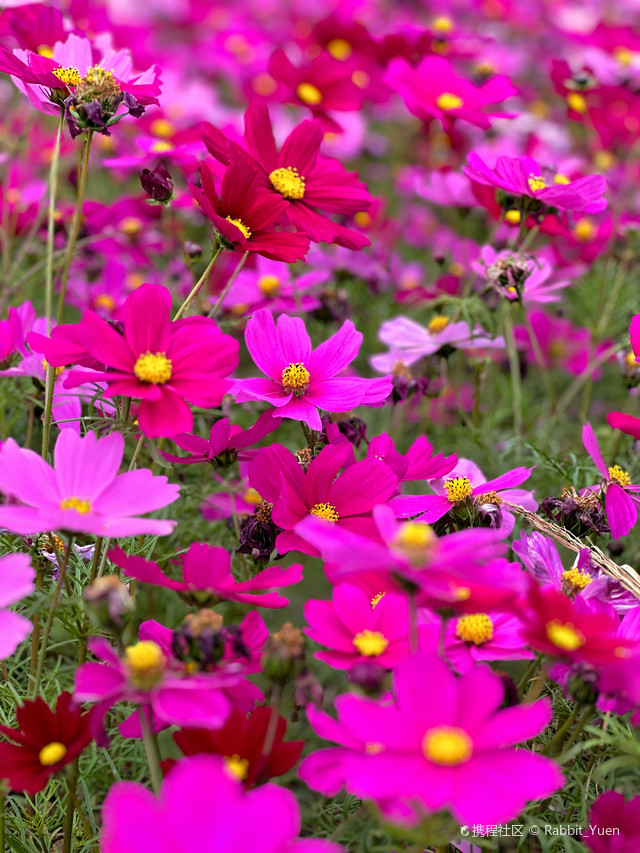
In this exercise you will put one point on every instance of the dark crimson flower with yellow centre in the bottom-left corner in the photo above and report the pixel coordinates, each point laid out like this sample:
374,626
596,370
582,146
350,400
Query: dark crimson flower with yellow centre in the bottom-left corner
44,743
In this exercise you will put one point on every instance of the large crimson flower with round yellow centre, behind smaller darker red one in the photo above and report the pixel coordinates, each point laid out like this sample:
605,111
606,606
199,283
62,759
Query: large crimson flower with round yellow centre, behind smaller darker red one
296,172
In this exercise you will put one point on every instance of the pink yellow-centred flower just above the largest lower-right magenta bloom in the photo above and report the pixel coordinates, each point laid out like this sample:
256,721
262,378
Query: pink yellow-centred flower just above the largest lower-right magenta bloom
359,628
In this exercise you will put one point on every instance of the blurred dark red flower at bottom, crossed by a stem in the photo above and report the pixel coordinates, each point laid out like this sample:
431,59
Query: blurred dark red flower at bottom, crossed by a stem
241,742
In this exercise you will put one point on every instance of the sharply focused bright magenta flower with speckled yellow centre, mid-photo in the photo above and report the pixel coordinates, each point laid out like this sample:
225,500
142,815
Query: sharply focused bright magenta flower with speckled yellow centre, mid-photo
301,380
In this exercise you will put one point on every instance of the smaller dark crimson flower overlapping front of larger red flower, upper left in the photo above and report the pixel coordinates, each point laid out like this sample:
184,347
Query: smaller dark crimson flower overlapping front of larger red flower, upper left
244,213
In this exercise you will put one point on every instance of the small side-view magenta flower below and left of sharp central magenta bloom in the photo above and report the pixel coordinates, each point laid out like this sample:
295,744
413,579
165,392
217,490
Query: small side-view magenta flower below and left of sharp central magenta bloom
225,444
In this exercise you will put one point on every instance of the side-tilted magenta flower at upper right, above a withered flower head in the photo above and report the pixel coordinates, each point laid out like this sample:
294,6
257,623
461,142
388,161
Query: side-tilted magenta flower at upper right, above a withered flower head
523,176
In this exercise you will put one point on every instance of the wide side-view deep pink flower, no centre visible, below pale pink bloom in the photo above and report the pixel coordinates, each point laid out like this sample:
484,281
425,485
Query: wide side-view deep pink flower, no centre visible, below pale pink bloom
208,578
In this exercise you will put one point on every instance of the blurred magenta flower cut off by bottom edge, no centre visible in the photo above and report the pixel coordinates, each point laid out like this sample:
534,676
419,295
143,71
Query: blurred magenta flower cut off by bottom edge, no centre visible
187,818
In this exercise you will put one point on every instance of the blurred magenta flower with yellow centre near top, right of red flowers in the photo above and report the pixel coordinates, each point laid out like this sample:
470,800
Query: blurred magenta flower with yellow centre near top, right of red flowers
433,90
